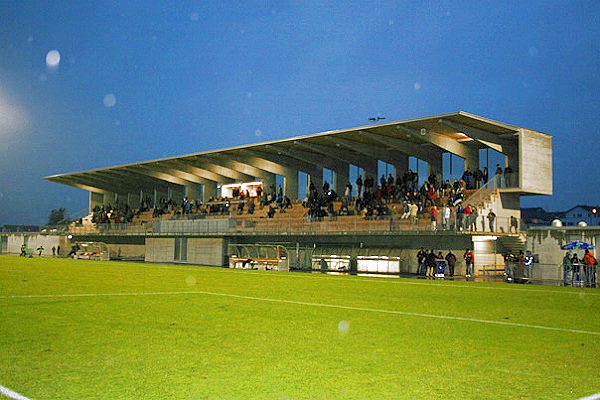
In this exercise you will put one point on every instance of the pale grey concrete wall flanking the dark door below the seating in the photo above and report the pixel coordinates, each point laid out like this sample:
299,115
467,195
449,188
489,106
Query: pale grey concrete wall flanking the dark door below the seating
203,251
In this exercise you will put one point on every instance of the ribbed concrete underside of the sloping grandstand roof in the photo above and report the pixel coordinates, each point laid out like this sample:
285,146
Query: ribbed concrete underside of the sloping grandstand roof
458,133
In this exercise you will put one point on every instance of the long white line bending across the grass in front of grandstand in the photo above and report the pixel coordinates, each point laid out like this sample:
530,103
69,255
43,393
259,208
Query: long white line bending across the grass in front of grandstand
311,304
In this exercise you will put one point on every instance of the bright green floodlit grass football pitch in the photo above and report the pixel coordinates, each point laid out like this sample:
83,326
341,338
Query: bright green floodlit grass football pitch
200,346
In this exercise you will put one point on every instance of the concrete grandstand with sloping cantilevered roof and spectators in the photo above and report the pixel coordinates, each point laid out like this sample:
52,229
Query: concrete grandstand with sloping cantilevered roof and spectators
365,198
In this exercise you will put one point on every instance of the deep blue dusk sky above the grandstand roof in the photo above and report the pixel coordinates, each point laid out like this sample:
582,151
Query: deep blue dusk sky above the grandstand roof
93,84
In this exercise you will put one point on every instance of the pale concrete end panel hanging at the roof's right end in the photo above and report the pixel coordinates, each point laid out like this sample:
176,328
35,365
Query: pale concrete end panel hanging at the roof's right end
535,163
